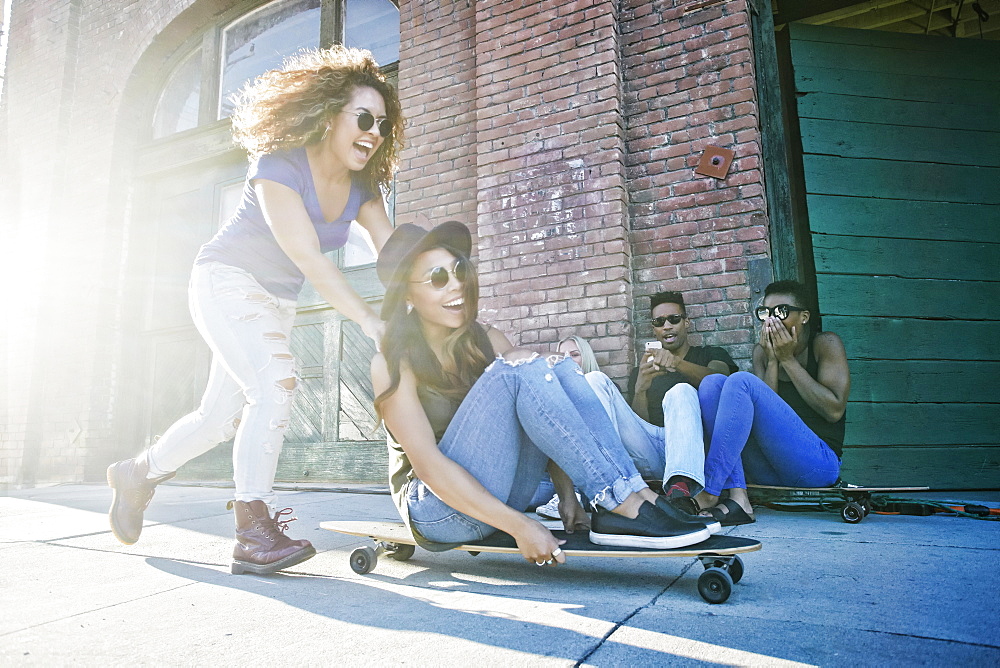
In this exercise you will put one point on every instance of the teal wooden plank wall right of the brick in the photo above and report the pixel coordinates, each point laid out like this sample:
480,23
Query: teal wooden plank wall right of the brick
901,162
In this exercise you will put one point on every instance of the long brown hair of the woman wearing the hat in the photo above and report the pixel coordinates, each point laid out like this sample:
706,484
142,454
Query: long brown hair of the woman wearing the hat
468,346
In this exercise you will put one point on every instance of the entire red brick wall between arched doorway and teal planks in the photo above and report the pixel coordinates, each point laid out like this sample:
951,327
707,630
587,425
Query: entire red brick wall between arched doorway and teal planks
588,125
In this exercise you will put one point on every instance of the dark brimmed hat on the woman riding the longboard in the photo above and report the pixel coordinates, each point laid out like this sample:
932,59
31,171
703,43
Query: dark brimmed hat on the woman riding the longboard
408,241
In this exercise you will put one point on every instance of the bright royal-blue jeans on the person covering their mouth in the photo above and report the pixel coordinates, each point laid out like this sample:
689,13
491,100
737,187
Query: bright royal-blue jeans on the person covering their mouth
743,416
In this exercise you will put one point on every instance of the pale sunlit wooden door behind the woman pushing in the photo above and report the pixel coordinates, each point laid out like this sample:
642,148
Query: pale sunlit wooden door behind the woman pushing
332,435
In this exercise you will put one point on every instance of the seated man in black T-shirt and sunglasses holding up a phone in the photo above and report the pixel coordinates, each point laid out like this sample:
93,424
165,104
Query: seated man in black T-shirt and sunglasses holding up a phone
662,391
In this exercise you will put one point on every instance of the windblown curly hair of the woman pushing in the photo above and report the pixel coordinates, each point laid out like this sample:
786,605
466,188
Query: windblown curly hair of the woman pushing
290,107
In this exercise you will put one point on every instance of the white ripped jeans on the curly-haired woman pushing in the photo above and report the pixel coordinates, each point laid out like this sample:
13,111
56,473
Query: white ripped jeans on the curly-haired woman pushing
251,383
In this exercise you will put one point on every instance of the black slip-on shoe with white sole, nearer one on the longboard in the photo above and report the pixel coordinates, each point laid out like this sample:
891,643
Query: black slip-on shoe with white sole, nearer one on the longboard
652,529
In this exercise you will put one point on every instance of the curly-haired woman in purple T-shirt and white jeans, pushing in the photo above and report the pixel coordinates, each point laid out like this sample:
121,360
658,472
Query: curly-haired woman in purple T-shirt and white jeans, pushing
323,134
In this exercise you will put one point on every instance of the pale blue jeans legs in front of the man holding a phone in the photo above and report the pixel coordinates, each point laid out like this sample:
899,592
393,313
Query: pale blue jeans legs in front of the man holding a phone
677,448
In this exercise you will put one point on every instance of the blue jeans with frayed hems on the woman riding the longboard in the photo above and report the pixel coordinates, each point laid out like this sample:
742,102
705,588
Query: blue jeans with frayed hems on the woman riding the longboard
515,418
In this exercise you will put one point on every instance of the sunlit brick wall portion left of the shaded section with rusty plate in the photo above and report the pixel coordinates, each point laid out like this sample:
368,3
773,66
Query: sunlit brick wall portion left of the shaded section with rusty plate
548,142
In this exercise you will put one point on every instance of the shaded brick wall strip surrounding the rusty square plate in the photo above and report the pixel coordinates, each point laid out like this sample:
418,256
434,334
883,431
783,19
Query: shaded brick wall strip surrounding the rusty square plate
689,83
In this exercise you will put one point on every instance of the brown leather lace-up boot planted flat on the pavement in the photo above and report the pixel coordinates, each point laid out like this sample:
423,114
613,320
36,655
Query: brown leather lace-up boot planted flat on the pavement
261,544
